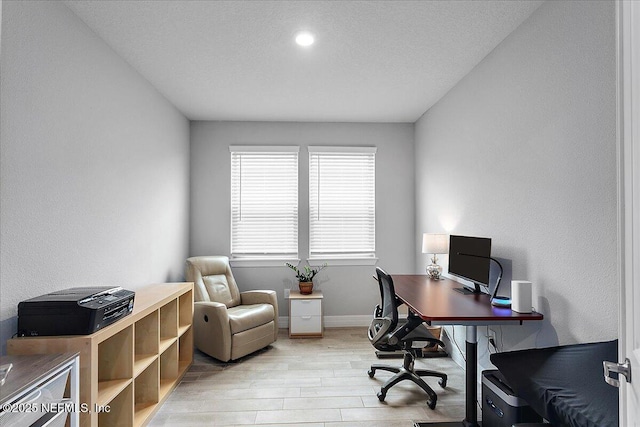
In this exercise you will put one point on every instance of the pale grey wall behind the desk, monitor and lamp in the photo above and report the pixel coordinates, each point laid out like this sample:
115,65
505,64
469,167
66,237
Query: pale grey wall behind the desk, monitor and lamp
523,150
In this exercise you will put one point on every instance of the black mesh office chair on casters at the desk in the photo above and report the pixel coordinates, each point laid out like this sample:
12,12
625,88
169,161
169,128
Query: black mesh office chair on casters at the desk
387,335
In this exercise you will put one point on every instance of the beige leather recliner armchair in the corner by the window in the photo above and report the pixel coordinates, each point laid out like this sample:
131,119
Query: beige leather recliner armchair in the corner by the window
229,324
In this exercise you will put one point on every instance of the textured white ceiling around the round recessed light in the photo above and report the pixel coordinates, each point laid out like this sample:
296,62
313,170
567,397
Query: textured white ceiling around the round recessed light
373,61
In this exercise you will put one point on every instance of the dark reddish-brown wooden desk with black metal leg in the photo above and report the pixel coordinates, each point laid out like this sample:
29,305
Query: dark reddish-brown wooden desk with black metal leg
436,301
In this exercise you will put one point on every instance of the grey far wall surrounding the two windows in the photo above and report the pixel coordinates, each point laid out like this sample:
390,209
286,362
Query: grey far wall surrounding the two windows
348,290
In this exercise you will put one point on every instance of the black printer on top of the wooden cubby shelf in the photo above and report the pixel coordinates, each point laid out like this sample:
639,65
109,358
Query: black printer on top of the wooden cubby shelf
74,311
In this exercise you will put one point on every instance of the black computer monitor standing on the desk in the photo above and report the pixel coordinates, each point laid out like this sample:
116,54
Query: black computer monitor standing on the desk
470,259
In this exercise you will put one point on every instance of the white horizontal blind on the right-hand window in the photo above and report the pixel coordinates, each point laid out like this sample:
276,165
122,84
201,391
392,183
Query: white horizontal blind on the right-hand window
342,220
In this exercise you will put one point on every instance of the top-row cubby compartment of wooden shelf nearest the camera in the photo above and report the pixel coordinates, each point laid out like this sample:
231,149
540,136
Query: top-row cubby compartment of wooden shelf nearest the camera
115,365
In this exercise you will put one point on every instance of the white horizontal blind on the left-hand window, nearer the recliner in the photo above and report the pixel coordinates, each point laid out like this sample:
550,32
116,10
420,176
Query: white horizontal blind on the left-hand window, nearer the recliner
264,201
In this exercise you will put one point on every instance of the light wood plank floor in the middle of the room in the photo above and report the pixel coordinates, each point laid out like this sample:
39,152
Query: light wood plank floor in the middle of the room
311,383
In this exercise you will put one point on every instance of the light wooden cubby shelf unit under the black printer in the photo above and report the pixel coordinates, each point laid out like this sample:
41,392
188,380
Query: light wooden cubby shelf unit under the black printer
132,365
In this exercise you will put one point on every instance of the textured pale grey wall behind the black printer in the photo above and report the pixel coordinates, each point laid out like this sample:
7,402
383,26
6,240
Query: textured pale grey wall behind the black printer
94,164
